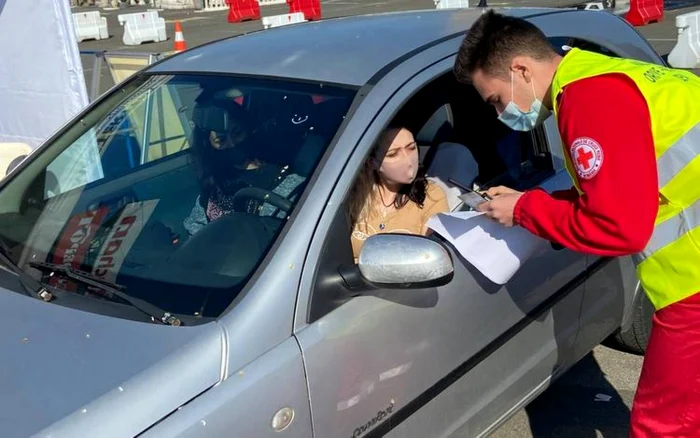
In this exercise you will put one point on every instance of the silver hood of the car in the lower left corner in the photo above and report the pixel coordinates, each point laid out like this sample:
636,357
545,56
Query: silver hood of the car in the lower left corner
68,372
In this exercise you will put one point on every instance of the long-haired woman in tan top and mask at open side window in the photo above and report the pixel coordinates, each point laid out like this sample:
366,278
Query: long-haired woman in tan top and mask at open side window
392,194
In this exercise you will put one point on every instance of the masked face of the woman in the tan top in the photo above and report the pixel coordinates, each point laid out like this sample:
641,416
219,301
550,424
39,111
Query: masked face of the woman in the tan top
400,164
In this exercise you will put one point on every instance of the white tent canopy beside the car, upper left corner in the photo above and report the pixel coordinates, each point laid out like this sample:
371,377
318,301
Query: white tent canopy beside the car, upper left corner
41,76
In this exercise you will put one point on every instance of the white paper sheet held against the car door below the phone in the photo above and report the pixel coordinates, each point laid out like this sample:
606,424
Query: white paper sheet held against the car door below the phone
496,251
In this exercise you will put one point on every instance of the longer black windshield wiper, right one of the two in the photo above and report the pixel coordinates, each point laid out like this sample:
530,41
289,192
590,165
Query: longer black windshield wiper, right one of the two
156,313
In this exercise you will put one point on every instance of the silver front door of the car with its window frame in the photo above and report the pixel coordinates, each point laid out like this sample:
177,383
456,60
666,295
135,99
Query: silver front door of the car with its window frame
434,361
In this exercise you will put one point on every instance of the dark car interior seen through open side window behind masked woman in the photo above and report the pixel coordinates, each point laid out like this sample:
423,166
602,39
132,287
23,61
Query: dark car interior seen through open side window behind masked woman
460,139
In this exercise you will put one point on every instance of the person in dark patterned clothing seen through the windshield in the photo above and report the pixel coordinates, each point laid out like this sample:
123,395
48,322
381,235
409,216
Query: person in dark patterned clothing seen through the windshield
227,161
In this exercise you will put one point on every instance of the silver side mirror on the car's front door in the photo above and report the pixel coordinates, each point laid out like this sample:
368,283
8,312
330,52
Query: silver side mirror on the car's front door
404,261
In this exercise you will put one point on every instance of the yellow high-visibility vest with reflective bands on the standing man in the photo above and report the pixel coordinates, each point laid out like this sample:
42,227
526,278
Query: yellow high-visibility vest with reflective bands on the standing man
669,266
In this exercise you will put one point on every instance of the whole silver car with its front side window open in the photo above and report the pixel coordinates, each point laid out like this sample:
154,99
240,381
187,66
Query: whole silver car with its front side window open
128,311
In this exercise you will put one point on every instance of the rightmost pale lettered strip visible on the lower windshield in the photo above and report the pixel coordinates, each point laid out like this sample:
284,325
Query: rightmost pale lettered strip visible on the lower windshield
121,237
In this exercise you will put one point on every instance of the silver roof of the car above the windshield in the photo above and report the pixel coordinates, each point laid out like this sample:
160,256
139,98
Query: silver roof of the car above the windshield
349,50
